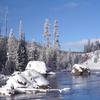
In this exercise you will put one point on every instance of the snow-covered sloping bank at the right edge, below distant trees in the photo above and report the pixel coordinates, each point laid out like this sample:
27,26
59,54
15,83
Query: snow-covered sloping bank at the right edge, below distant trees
93,63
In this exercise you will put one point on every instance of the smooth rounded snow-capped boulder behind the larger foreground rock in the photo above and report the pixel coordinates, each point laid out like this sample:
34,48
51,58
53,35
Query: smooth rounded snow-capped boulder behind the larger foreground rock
38,66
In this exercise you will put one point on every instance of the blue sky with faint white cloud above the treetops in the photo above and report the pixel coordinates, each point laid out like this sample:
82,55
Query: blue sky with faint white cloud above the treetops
78,20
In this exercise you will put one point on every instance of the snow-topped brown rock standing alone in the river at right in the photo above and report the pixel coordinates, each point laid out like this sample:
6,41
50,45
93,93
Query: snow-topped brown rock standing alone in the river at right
80,70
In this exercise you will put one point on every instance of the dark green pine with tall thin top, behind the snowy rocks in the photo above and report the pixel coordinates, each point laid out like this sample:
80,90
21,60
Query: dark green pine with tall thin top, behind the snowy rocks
22,57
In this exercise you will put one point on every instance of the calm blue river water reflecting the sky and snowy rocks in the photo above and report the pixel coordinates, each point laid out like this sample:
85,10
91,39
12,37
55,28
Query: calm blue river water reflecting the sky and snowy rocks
81,88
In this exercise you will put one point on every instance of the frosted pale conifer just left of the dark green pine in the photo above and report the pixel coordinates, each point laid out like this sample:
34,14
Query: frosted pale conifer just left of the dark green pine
11,54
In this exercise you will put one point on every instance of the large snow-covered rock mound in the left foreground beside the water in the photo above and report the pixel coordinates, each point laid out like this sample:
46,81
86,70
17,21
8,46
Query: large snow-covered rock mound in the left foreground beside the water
26,80
